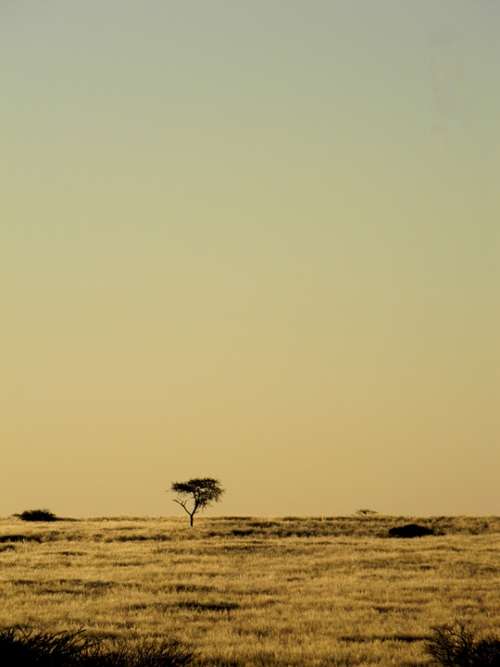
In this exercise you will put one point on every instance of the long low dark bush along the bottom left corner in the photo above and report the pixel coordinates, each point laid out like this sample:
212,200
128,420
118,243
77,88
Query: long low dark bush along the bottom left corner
28,647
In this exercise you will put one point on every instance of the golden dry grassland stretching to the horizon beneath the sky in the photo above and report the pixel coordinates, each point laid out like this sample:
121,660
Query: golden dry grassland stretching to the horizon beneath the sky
253,591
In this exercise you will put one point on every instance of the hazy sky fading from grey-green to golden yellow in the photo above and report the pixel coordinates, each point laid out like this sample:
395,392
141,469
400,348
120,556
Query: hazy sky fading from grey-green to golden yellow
257,241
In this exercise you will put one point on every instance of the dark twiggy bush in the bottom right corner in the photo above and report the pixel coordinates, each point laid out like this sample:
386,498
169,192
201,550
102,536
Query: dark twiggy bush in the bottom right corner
455,645
